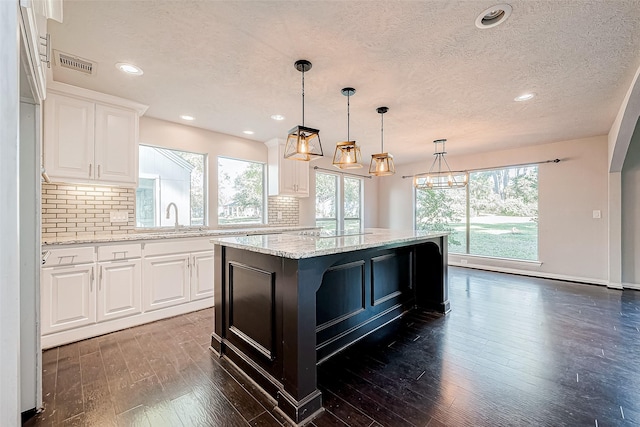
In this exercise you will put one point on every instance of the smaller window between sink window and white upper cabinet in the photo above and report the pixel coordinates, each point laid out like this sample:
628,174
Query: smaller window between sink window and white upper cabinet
241,192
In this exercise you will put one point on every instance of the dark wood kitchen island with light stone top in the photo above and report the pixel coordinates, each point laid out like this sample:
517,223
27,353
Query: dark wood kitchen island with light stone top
286,302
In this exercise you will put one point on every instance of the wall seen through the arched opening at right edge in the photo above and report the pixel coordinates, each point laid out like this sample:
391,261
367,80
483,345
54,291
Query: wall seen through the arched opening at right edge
631,213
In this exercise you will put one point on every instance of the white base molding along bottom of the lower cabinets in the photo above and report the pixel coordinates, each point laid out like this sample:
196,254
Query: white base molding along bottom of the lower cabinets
96,329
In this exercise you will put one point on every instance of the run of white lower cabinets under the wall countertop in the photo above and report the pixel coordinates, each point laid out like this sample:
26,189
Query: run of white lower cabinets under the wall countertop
93,290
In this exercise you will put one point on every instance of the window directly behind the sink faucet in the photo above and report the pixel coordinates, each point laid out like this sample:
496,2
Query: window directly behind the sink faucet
170,176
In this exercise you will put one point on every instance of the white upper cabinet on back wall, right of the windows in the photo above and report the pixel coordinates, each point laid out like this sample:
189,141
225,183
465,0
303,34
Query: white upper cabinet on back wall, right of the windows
286,177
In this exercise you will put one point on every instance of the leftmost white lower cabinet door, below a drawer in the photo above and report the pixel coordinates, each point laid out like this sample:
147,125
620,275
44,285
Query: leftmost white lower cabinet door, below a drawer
68,297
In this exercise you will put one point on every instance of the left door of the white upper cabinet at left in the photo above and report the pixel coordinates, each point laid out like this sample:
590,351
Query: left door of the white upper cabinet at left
69,137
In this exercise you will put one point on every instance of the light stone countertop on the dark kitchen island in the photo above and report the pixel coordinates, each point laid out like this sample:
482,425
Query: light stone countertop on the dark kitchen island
300,244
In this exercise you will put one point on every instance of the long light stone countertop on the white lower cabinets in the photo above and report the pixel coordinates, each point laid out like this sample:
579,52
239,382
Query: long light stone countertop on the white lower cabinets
168,234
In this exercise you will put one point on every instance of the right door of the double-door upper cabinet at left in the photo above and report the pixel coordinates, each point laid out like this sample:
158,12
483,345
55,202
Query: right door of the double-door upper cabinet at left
116,144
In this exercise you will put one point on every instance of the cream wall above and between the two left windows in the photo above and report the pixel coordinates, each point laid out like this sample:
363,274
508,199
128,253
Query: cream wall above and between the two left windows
176,136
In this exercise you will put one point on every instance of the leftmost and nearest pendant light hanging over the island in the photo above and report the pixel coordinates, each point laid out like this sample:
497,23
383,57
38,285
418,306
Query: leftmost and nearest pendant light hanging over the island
303,143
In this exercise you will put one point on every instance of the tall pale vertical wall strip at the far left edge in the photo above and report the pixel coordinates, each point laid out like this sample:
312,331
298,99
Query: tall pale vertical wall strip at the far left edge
9,216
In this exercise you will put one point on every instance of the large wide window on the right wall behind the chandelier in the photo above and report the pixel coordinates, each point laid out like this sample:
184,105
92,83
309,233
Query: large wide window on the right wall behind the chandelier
497,216
